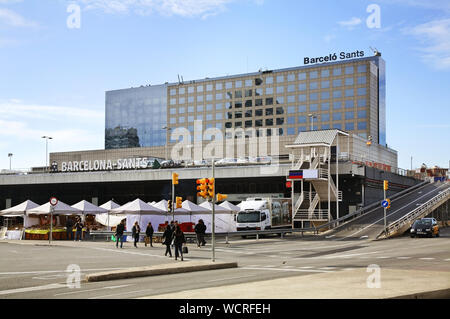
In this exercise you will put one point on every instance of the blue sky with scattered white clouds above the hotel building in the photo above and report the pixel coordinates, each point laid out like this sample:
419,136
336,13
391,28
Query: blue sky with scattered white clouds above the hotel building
55,68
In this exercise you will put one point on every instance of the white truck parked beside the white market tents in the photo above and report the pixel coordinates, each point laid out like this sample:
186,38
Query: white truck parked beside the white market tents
264,213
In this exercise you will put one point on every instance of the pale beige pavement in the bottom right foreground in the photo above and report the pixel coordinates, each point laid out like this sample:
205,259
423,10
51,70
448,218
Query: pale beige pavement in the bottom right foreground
349,284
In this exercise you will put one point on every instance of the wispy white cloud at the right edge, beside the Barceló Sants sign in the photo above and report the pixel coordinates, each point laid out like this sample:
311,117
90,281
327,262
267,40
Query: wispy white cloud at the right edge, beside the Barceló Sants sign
434,37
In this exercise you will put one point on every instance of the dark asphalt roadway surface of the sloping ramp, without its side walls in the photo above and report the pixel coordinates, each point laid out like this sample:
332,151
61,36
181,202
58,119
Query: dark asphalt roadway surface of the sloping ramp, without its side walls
371,224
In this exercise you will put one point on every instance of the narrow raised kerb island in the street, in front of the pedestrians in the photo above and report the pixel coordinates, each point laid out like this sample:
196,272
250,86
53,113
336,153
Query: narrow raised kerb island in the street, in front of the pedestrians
166,269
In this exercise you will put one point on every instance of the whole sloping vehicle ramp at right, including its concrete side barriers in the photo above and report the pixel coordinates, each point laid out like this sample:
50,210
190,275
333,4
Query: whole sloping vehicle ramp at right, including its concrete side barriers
407,206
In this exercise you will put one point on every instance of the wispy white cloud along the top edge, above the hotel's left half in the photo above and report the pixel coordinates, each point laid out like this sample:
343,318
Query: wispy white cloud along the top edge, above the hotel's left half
184,8
